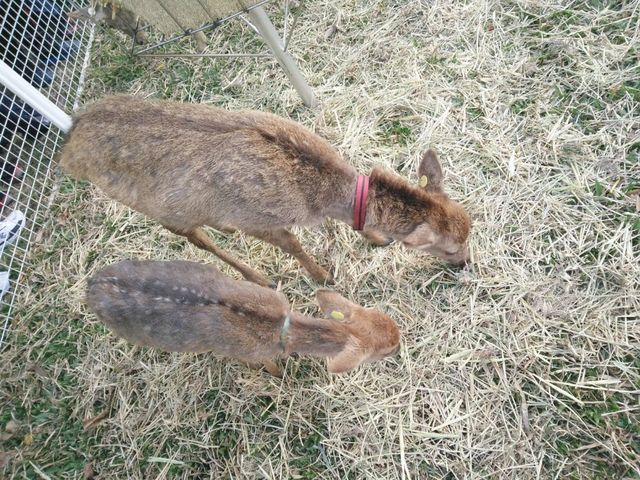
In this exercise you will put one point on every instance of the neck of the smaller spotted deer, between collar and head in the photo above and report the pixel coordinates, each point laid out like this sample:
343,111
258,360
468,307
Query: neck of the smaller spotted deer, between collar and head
318,337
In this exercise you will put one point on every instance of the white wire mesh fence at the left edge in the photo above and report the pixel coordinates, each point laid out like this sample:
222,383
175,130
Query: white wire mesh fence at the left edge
50,51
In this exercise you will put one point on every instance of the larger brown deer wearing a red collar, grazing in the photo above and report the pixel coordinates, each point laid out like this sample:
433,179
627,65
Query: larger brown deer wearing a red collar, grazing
190,165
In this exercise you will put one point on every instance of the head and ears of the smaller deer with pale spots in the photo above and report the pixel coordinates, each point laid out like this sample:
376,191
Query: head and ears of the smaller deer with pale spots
374,335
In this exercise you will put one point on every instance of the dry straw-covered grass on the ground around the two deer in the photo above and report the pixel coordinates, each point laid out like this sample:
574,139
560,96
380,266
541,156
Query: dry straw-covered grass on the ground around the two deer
524,366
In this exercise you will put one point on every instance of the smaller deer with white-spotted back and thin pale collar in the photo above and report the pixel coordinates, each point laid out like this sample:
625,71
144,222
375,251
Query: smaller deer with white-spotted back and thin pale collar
190,307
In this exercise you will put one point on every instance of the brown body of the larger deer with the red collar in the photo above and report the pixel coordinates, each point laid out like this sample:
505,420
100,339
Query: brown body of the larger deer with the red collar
199,164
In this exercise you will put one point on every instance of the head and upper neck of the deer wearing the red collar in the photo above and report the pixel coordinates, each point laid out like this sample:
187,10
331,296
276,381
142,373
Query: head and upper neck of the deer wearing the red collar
429,220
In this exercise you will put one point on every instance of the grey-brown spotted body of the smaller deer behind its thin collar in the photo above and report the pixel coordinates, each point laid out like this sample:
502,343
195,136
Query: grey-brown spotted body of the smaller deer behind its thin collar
187,307
